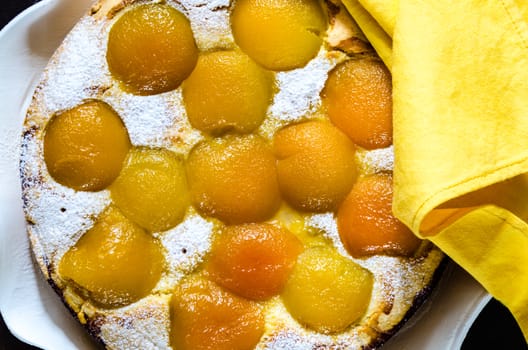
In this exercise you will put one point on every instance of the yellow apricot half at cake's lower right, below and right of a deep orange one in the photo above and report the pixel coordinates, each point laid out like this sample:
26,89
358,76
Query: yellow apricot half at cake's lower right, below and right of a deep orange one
326,291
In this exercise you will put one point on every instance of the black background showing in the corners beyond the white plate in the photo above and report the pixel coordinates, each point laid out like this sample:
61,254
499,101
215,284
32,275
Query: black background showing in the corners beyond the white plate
495,328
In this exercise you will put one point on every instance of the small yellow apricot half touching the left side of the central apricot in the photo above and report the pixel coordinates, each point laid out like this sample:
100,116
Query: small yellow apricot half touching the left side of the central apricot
152,189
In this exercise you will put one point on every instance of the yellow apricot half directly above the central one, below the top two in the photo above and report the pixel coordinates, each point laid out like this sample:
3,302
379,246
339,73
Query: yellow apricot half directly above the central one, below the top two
227,90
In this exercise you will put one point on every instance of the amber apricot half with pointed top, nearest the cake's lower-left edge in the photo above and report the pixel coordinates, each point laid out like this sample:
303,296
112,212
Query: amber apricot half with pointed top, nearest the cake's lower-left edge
115,263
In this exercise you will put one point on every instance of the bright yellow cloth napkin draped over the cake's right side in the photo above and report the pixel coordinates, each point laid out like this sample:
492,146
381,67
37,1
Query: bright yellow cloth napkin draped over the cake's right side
460,77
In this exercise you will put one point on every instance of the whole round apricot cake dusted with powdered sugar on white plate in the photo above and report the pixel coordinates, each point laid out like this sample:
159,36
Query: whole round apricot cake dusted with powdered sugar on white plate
217,175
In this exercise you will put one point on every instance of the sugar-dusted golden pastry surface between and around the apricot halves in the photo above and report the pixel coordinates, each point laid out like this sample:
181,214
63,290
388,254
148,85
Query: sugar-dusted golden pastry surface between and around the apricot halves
58,216
